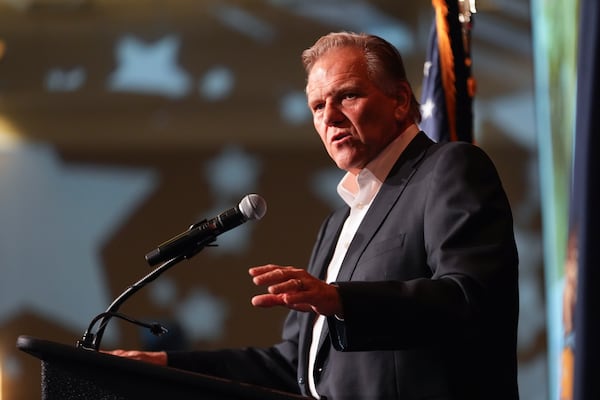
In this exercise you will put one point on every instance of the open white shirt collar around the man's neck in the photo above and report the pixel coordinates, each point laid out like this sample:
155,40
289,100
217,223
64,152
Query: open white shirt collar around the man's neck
362,188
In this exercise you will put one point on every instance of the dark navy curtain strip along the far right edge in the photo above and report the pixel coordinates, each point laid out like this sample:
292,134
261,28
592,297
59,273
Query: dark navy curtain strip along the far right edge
586,195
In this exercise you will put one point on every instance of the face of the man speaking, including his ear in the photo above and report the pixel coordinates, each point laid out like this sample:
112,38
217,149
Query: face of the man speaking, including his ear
354,118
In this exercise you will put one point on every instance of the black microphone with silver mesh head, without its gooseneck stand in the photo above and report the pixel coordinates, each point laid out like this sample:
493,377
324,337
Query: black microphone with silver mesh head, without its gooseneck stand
198,235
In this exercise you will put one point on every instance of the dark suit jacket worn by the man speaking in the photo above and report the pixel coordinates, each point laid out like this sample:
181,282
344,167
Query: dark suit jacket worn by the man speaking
429,289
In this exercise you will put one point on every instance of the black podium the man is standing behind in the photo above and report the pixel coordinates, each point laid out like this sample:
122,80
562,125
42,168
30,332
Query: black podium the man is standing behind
72,373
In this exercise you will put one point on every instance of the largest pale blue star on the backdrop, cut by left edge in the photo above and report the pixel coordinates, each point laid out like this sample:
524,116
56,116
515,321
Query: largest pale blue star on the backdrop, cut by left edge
54,219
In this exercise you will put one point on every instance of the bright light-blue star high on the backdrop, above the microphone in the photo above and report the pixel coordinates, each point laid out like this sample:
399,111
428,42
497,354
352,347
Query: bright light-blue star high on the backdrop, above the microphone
149,68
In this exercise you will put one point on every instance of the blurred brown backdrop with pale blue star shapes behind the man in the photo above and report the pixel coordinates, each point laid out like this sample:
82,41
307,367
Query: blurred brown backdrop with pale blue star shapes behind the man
123,122
